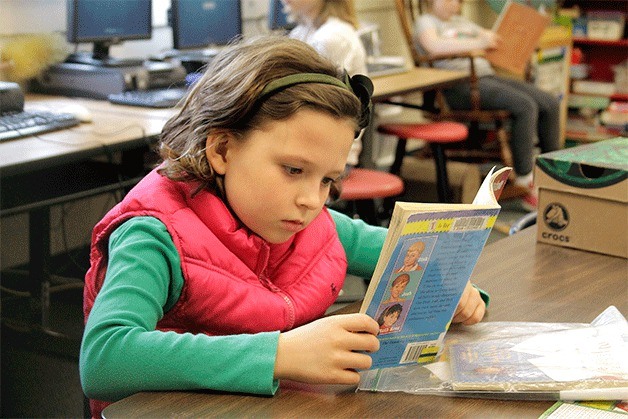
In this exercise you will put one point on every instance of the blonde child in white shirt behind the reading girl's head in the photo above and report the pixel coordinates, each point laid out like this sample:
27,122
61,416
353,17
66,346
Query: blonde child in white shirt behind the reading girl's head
330,26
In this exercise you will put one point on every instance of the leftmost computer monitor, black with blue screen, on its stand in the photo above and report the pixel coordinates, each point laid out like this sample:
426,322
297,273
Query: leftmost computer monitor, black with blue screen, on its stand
105,23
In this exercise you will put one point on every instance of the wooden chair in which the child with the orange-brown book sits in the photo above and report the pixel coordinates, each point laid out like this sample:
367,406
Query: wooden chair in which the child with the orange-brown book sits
436,106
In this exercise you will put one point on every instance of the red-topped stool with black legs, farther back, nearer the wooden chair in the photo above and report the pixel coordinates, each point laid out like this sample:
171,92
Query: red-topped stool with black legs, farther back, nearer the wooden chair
437,134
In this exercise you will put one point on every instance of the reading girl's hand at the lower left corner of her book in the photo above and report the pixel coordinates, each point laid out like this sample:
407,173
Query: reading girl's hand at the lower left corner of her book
326,350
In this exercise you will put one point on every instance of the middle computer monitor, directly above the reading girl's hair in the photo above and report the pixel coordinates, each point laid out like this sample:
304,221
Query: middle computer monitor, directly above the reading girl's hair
199,24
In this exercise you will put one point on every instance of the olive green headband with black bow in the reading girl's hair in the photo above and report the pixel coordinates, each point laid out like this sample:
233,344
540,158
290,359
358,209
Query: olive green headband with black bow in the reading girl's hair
360,85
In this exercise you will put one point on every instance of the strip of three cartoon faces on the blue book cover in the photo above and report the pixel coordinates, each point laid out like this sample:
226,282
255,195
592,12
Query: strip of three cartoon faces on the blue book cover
403,283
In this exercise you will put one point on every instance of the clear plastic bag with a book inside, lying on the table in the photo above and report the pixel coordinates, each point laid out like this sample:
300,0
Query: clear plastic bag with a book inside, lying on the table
602,377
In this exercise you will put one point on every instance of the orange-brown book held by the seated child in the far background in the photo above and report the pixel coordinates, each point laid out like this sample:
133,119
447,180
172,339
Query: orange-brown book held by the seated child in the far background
519,27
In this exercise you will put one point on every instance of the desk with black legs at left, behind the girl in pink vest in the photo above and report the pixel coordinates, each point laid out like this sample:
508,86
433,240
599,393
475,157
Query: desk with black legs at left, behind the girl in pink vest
40,171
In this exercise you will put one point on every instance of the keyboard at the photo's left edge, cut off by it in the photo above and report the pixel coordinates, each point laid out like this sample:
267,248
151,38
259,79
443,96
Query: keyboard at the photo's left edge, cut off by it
21,124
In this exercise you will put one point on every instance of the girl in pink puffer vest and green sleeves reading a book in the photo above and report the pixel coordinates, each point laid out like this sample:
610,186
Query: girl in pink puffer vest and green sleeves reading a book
215,270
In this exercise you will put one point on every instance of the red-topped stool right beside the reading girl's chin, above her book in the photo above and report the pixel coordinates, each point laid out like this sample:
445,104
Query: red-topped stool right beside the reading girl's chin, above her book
363,186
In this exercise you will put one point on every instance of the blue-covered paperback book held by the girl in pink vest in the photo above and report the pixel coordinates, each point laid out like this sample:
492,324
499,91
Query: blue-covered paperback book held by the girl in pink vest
426,261
